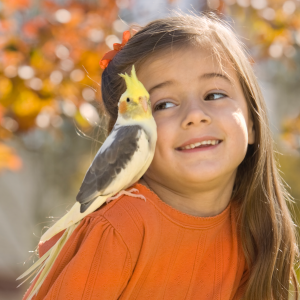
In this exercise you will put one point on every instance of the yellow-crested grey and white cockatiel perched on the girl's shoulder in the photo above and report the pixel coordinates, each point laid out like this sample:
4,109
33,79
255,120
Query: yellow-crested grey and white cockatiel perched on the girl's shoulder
120,162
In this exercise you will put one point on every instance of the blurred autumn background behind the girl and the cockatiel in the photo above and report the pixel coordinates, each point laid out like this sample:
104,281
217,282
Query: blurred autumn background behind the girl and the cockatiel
51,118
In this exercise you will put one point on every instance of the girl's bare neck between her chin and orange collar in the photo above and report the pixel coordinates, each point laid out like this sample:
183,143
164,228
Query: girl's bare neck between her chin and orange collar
206,202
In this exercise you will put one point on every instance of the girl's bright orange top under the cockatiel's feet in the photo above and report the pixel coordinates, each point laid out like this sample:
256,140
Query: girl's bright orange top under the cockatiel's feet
136,249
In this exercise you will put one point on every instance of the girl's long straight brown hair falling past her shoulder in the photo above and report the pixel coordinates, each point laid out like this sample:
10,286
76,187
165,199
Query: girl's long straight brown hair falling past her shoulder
266,229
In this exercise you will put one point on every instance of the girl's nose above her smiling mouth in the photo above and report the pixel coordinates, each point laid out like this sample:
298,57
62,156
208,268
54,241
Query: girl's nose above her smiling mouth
195,114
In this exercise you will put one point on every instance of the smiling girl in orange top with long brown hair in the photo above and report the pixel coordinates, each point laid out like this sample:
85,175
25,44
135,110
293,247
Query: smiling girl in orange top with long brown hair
215,224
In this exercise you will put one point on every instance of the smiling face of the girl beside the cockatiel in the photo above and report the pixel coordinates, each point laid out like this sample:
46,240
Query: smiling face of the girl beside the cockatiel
194,100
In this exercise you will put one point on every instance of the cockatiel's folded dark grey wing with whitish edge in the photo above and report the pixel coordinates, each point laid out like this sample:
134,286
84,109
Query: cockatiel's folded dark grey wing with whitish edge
105,173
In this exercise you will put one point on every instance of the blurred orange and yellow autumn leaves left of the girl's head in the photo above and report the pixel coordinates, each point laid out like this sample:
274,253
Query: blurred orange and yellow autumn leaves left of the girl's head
49,66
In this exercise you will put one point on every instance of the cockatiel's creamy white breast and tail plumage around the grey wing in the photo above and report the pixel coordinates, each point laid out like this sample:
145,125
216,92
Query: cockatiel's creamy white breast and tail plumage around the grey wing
136,167
